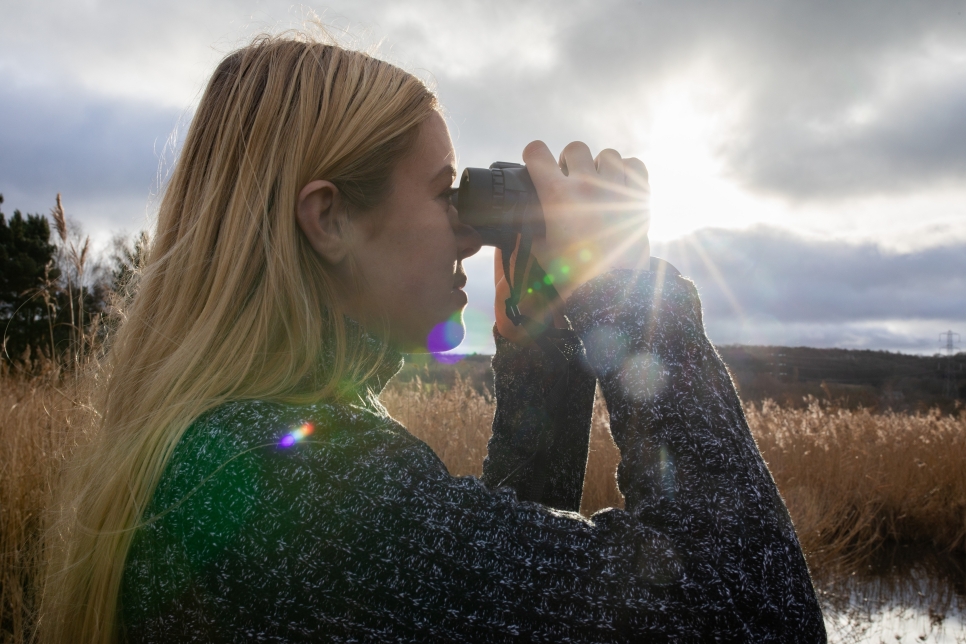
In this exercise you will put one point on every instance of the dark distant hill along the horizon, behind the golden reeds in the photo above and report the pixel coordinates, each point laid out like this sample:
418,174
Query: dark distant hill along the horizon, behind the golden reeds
876,379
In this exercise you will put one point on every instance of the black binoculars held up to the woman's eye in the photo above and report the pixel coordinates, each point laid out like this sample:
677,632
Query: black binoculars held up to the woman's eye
500,202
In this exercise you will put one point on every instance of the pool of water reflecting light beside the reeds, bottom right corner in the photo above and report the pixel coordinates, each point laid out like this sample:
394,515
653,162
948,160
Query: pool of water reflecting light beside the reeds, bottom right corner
906,595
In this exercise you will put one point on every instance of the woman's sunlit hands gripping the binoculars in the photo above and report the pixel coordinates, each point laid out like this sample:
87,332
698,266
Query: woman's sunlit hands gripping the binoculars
597,216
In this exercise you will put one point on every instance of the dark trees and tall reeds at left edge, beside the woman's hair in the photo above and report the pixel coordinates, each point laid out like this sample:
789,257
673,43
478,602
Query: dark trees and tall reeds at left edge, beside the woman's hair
56,296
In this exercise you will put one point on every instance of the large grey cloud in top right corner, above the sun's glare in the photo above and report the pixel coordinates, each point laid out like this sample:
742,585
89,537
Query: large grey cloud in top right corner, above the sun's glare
836,99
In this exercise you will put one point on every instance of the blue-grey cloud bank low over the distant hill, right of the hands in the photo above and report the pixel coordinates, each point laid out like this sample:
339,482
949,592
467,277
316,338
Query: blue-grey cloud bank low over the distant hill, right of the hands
766,285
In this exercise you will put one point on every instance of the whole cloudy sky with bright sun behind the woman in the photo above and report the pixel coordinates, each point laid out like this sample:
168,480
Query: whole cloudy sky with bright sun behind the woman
807,159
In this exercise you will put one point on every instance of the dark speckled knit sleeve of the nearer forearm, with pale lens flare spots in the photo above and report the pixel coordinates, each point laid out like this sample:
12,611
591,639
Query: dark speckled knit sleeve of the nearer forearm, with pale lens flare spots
689,465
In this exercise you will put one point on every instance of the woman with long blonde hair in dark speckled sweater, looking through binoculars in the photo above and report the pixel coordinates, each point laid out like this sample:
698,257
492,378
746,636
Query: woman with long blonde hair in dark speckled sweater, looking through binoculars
246,484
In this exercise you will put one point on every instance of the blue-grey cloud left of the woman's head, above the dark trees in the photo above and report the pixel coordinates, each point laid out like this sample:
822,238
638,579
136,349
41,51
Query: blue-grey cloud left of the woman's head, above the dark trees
89,147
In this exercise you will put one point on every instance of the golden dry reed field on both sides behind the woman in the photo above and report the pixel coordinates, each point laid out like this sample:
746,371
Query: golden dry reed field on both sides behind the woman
853,480
